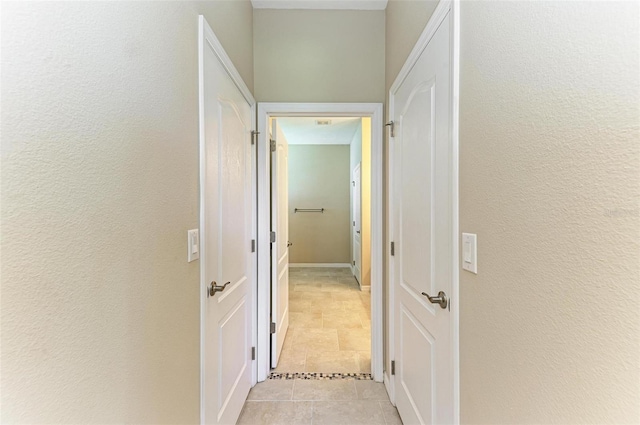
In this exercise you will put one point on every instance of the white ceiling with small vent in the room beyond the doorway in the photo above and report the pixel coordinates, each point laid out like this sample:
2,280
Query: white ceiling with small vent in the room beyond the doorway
305,131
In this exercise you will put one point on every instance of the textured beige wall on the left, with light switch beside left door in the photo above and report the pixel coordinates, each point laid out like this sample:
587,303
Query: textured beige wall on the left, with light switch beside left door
99,308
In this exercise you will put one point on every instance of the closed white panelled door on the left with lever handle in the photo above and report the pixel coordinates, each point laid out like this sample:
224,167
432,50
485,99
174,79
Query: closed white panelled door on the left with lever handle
226,218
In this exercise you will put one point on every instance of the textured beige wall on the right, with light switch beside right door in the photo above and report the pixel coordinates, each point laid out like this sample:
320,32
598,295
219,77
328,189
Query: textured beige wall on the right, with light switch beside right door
549,181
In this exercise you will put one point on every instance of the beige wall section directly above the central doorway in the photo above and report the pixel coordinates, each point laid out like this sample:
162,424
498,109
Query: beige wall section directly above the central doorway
319,55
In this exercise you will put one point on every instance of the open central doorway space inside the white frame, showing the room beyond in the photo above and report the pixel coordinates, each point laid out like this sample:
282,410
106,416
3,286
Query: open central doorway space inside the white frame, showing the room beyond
321,252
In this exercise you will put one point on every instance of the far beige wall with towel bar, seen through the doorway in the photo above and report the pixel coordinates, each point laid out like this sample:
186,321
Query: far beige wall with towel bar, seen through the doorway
319,178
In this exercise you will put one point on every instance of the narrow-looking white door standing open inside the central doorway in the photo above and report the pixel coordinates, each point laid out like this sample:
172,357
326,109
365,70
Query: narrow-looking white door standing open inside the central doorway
279,248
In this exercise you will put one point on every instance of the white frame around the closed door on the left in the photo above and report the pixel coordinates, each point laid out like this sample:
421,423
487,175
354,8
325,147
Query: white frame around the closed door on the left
246,93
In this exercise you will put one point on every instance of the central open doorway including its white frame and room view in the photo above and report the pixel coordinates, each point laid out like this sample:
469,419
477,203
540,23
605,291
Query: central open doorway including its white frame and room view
320,268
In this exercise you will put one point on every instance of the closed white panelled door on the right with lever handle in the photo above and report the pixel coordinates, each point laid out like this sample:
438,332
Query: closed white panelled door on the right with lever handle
422,174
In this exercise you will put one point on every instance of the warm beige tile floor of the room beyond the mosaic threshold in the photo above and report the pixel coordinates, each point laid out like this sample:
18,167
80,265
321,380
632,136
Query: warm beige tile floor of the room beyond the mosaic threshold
329,323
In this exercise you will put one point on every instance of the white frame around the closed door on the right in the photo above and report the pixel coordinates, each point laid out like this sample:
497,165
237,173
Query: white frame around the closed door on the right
434,22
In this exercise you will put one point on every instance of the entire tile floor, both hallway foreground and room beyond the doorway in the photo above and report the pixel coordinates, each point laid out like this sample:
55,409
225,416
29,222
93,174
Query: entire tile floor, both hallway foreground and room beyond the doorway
329,332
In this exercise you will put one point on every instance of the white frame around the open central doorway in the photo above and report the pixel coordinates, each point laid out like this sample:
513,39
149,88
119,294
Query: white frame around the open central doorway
373,110
